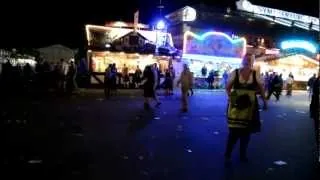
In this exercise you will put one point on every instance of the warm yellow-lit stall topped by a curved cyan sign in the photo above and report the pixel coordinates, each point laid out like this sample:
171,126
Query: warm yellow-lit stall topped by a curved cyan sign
297,57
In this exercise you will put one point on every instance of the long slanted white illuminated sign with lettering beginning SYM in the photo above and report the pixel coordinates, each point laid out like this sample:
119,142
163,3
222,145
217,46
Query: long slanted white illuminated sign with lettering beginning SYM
245,5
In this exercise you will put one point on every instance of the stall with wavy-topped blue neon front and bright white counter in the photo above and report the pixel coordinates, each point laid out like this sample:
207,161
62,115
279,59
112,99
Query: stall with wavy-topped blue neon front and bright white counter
214,50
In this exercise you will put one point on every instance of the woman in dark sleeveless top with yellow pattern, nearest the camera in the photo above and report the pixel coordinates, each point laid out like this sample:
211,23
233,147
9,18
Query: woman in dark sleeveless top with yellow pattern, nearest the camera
243,111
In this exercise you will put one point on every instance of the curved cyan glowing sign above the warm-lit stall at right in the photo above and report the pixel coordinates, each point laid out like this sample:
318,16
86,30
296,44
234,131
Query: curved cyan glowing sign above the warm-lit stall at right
299,44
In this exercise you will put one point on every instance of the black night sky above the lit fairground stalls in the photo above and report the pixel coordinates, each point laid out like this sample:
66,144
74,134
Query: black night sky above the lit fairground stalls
31,24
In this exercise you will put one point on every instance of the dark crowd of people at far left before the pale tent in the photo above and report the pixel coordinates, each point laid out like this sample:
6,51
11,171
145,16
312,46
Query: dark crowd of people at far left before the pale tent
39,80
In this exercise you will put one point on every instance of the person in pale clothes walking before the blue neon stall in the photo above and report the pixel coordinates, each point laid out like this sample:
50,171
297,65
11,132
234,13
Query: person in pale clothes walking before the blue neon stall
186,81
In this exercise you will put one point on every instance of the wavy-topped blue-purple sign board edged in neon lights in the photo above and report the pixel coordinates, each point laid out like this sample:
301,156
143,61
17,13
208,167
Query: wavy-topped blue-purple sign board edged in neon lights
214,44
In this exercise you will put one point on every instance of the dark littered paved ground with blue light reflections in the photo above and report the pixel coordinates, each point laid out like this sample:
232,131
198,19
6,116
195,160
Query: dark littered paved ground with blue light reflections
86,137
